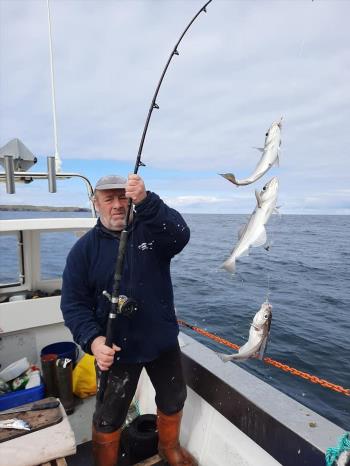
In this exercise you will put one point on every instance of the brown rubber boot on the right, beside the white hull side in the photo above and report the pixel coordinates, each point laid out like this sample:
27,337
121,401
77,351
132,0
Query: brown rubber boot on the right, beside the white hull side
169,446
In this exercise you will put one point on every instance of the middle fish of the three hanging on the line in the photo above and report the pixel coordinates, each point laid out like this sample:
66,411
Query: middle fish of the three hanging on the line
253,234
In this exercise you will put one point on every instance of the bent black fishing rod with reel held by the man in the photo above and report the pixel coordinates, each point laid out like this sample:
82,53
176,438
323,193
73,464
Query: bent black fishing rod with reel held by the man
122,304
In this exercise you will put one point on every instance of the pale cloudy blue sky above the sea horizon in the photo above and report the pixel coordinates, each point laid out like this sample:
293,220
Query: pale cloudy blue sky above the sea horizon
242,66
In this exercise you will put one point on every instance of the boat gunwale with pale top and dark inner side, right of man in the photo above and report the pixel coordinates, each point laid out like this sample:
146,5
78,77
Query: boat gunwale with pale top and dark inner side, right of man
287,430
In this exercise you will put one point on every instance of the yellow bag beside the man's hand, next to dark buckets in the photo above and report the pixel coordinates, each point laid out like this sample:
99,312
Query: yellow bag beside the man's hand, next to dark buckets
84,377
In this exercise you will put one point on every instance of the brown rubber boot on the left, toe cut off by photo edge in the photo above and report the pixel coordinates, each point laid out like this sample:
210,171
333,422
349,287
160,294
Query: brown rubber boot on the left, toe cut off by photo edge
105,447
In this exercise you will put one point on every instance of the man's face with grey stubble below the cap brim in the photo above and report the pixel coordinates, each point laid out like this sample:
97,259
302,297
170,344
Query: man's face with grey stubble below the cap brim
112,206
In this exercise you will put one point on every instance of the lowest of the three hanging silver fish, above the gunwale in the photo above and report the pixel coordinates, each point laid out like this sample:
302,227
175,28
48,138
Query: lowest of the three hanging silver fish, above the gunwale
258,336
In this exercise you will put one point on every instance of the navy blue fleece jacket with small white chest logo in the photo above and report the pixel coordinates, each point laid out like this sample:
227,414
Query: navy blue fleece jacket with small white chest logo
157,233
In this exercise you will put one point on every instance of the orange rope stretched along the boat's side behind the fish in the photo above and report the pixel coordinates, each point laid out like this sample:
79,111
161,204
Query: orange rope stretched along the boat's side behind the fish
272,362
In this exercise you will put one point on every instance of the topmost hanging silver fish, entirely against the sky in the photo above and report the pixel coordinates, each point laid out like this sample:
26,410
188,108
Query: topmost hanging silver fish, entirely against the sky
270,156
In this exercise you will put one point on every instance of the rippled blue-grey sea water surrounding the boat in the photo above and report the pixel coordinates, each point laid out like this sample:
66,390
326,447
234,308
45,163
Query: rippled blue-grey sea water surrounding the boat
305,274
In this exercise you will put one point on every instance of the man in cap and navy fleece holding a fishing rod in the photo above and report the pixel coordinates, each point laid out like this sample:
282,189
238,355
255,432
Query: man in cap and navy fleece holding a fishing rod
147,338
